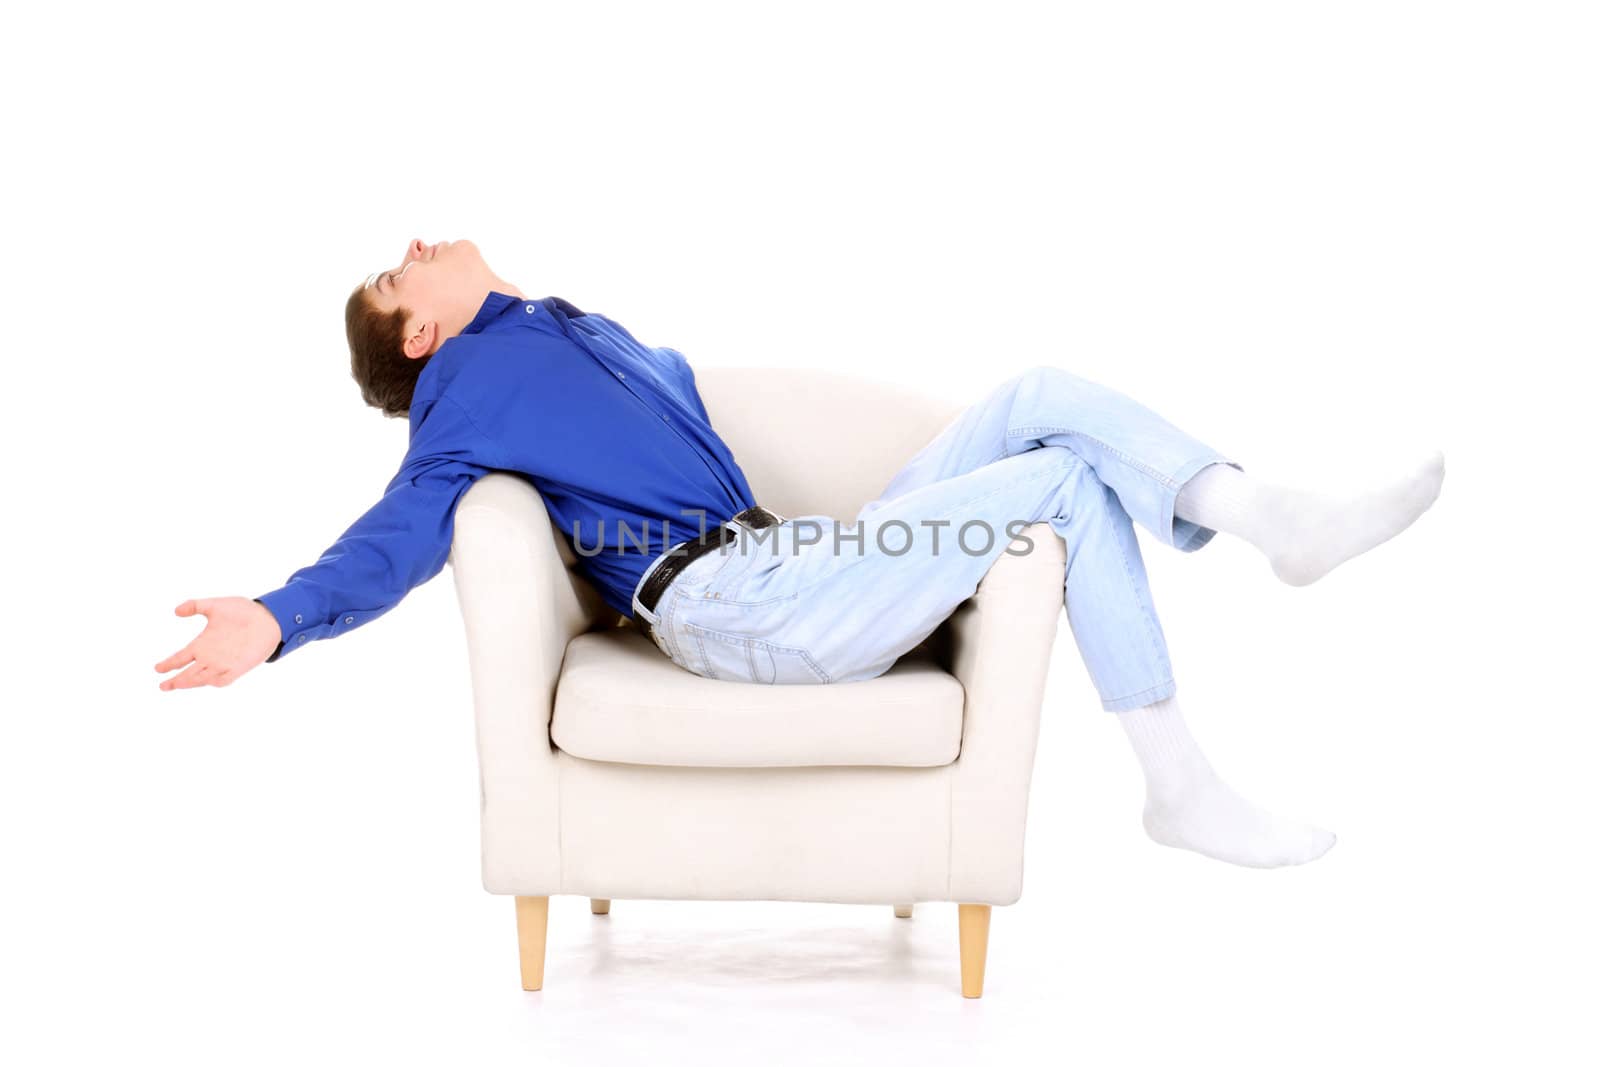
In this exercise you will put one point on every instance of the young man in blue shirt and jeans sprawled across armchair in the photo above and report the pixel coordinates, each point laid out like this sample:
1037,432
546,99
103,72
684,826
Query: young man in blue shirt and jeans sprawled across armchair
617,441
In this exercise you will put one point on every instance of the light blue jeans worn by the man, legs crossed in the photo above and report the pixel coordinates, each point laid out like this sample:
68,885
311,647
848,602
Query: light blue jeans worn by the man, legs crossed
815,601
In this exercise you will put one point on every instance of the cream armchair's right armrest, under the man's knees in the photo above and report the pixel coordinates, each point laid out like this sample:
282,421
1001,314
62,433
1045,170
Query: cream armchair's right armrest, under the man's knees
999,645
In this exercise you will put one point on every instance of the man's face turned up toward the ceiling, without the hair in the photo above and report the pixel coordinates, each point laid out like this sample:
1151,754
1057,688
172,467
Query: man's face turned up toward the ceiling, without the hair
442,287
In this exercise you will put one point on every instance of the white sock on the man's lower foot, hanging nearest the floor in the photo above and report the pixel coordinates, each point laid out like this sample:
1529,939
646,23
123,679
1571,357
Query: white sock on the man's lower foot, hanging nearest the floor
1190,807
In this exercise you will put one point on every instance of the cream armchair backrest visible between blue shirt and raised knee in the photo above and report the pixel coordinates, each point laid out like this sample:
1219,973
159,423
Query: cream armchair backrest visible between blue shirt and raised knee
815,442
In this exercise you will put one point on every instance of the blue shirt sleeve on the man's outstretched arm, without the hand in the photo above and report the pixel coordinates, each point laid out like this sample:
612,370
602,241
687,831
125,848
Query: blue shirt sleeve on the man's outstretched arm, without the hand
401,543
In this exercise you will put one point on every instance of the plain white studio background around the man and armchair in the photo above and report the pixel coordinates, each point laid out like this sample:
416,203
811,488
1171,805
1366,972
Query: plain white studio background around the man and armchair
1322,238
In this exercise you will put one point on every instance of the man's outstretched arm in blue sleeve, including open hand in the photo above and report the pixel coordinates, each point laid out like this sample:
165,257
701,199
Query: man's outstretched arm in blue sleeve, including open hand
401,543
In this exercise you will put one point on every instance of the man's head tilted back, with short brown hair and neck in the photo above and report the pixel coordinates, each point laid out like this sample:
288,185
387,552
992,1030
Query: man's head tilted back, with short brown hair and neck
399,318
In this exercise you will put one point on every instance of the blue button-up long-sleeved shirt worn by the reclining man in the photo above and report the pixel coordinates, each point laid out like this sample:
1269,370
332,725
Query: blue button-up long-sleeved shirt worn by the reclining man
610,433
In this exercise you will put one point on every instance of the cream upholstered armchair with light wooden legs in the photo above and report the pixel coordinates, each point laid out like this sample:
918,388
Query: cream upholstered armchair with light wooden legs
612,773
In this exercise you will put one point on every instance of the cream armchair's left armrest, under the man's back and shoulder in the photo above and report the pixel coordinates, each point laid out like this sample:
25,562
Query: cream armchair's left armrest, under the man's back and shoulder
522,602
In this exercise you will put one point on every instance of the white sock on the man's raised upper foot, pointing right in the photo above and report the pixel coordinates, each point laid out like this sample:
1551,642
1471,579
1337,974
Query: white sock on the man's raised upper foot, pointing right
1303,533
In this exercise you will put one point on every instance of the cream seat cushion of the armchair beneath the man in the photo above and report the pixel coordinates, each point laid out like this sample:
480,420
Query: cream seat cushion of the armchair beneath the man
623,701
